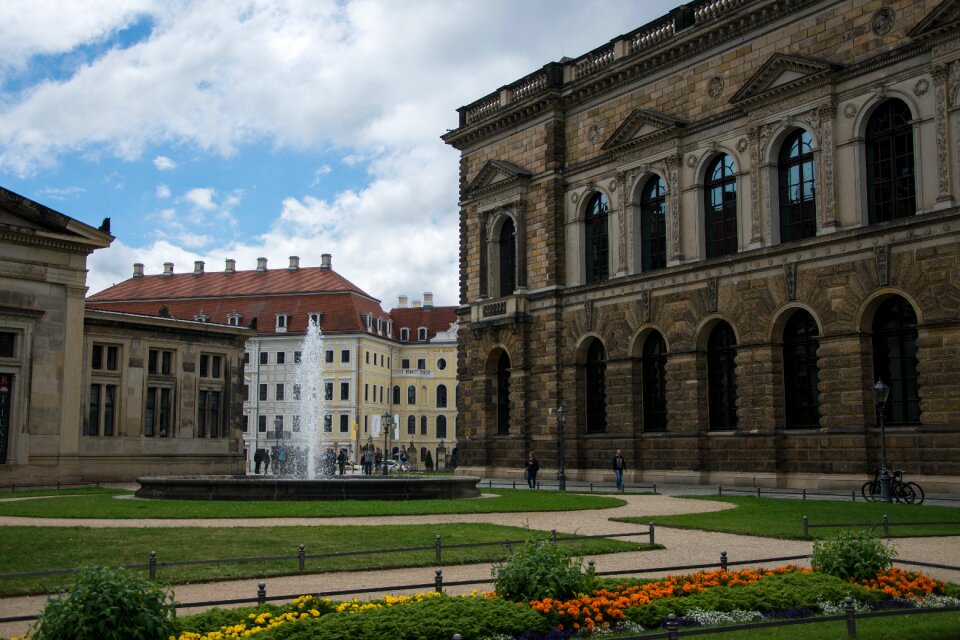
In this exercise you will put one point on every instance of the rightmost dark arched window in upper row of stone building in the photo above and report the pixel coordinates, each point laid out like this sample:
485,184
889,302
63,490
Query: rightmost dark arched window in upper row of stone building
891,190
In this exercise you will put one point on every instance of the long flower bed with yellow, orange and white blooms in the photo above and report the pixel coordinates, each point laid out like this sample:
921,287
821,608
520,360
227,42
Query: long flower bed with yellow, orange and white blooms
700,598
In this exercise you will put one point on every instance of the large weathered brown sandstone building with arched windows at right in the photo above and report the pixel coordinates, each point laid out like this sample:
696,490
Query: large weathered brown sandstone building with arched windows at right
707,240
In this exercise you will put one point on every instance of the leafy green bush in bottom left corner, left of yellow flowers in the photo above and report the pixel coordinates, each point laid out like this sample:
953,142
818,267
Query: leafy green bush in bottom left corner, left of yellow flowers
108,604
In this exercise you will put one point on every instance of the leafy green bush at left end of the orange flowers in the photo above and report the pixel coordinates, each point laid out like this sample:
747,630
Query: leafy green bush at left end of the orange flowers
540,569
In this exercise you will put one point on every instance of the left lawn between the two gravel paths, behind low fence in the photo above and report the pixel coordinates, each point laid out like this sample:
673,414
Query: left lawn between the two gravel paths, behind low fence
47,548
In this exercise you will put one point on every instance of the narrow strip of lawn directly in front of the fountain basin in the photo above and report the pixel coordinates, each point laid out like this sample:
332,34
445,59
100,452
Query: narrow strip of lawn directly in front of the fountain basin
506,501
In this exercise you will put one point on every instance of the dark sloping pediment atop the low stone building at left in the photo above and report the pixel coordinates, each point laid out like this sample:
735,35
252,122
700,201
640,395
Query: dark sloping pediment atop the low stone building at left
21,214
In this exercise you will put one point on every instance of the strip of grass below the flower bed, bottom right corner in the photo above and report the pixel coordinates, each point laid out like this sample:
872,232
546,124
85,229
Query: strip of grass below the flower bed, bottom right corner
933,626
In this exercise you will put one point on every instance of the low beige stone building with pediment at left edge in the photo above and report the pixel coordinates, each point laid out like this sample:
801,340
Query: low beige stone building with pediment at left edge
88,395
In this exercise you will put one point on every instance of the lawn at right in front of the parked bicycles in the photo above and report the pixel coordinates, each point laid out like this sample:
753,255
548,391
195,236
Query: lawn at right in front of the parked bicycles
780,518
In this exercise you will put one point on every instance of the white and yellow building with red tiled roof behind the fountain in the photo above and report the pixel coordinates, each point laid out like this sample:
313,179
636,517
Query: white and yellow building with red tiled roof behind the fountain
374,363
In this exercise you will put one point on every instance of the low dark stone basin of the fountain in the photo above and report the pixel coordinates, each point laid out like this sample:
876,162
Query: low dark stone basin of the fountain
339,488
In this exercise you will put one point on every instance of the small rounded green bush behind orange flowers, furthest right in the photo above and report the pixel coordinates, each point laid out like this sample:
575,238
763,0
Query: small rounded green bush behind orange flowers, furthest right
852,554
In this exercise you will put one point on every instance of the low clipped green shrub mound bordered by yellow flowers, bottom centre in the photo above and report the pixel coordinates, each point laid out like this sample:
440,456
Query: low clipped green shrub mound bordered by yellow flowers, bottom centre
431,619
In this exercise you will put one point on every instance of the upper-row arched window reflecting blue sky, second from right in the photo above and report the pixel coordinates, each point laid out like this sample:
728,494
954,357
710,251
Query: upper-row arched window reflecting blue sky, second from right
798,205
